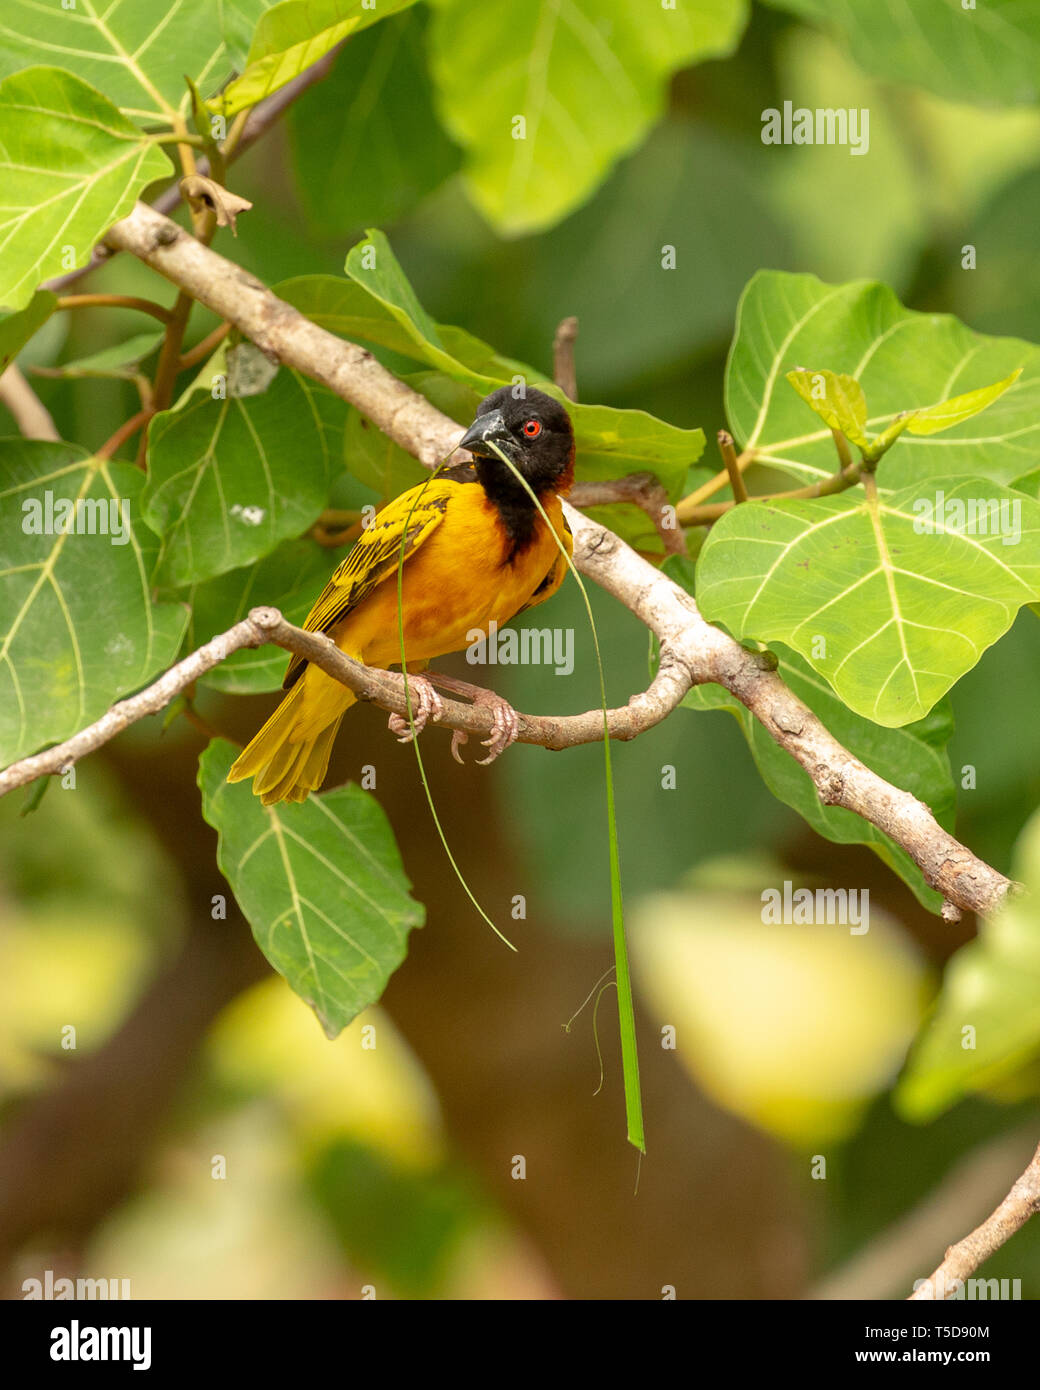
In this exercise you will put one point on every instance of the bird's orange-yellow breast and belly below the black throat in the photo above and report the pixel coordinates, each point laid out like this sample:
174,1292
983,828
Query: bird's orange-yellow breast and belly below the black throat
458,582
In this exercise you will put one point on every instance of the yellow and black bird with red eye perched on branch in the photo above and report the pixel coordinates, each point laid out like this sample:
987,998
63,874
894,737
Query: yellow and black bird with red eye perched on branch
476,551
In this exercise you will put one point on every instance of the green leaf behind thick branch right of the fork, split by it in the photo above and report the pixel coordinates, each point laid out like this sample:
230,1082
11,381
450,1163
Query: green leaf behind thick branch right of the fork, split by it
913,758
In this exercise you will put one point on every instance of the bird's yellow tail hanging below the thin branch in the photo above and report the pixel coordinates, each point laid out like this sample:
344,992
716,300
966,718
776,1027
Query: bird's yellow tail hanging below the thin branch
290,755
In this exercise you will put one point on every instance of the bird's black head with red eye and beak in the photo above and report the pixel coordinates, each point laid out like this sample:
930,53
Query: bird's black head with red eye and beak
533,432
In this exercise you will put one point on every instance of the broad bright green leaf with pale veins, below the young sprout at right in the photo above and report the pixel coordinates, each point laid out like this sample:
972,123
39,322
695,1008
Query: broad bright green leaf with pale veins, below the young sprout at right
891,600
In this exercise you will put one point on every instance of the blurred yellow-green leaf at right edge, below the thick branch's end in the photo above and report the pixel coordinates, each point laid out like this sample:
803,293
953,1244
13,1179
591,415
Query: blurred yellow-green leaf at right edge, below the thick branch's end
992,986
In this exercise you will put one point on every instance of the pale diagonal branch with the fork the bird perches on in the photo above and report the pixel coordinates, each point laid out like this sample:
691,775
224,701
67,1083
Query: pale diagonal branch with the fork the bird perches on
693,651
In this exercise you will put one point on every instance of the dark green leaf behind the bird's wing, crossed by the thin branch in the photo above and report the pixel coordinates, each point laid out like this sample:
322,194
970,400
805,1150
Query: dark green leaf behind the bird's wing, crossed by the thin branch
289,579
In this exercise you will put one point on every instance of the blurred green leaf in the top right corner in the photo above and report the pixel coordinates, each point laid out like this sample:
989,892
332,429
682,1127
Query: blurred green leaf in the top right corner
989,54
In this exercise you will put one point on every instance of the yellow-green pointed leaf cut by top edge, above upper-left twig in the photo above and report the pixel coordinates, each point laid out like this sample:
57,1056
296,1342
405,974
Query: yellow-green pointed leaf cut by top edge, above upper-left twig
293,37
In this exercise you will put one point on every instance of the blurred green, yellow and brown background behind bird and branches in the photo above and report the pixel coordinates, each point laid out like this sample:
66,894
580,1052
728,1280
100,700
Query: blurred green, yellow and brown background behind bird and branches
391,1168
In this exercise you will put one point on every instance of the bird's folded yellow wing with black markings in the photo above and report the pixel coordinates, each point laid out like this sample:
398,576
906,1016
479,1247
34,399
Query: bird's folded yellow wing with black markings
375,558
